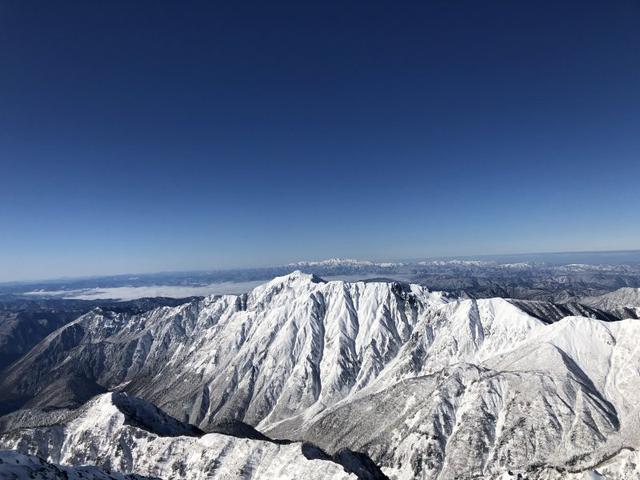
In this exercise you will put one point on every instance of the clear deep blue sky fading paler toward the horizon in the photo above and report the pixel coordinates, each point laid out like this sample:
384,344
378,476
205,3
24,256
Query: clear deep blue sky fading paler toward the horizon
140,136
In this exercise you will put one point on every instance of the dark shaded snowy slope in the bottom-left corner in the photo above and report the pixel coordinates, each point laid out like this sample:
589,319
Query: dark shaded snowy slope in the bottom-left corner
17,466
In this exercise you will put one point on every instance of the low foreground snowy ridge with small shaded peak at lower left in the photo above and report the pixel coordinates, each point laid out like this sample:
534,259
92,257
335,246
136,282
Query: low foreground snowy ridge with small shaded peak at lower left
118,432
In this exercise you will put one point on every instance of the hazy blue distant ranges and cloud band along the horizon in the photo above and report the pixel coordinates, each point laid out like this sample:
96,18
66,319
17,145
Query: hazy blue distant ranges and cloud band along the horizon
555,277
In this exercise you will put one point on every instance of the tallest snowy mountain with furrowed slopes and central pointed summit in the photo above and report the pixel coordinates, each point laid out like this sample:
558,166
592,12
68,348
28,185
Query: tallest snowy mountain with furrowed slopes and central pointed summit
294,344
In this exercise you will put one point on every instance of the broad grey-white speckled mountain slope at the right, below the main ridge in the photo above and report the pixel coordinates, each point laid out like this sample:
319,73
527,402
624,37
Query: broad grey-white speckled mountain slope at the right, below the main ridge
563,399
